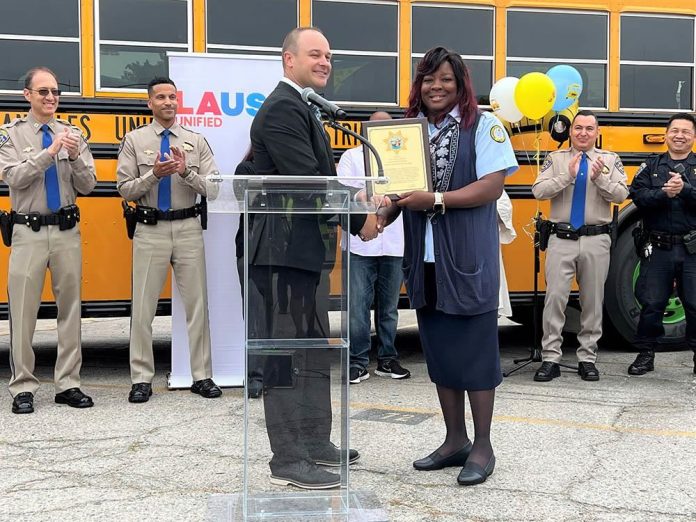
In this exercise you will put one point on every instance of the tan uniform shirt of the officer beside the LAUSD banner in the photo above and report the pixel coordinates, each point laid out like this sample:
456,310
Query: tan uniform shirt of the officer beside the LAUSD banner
136,180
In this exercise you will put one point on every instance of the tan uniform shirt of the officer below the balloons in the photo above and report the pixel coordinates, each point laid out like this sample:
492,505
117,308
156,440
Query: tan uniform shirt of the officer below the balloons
557,184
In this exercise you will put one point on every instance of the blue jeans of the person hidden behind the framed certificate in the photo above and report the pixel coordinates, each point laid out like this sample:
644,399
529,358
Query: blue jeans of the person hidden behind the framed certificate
367,274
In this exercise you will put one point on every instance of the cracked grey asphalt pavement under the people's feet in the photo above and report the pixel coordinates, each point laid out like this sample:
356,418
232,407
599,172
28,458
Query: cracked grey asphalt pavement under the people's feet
621,449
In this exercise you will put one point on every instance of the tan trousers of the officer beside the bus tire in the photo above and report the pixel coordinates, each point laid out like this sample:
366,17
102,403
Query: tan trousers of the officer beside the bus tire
588,260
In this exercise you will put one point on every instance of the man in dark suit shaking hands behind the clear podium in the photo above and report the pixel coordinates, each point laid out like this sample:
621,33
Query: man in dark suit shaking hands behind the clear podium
290,257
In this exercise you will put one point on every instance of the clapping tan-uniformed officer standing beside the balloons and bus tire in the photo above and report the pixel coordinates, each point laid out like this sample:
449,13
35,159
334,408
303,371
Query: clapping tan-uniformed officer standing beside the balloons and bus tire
582,182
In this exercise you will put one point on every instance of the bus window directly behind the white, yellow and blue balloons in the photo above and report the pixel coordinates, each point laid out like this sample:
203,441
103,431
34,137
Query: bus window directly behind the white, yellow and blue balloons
538,39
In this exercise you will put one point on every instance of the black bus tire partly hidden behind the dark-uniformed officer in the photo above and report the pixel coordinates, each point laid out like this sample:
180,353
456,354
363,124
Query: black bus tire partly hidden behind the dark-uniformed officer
621,310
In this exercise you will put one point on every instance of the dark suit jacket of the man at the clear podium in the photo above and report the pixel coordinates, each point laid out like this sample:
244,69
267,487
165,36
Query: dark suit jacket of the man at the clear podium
287,139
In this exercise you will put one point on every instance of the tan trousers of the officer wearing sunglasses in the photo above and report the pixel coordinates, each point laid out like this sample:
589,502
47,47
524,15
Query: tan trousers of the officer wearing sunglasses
32,253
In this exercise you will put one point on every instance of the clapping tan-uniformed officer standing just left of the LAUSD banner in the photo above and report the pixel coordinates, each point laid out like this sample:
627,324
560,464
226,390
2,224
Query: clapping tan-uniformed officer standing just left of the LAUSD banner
163,167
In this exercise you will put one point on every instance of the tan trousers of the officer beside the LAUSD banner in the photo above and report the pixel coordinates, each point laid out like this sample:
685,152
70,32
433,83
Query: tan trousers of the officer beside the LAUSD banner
155,247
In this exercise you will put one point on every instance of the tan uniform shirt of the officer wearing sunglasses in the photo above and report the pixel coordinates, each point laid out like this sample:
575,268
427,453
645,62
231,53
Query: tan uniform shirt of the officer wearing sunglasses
24,160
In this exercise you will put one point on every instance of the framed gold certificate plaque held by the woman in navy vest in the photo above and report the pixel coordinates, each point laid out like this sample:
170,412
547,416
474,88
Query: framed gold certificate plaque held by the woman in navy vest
404,149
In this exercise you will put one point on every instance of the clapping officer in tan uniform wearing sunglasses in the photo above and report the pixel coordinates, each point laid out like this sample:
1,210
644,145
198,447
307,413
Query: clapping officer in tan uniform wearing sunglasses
46,162
